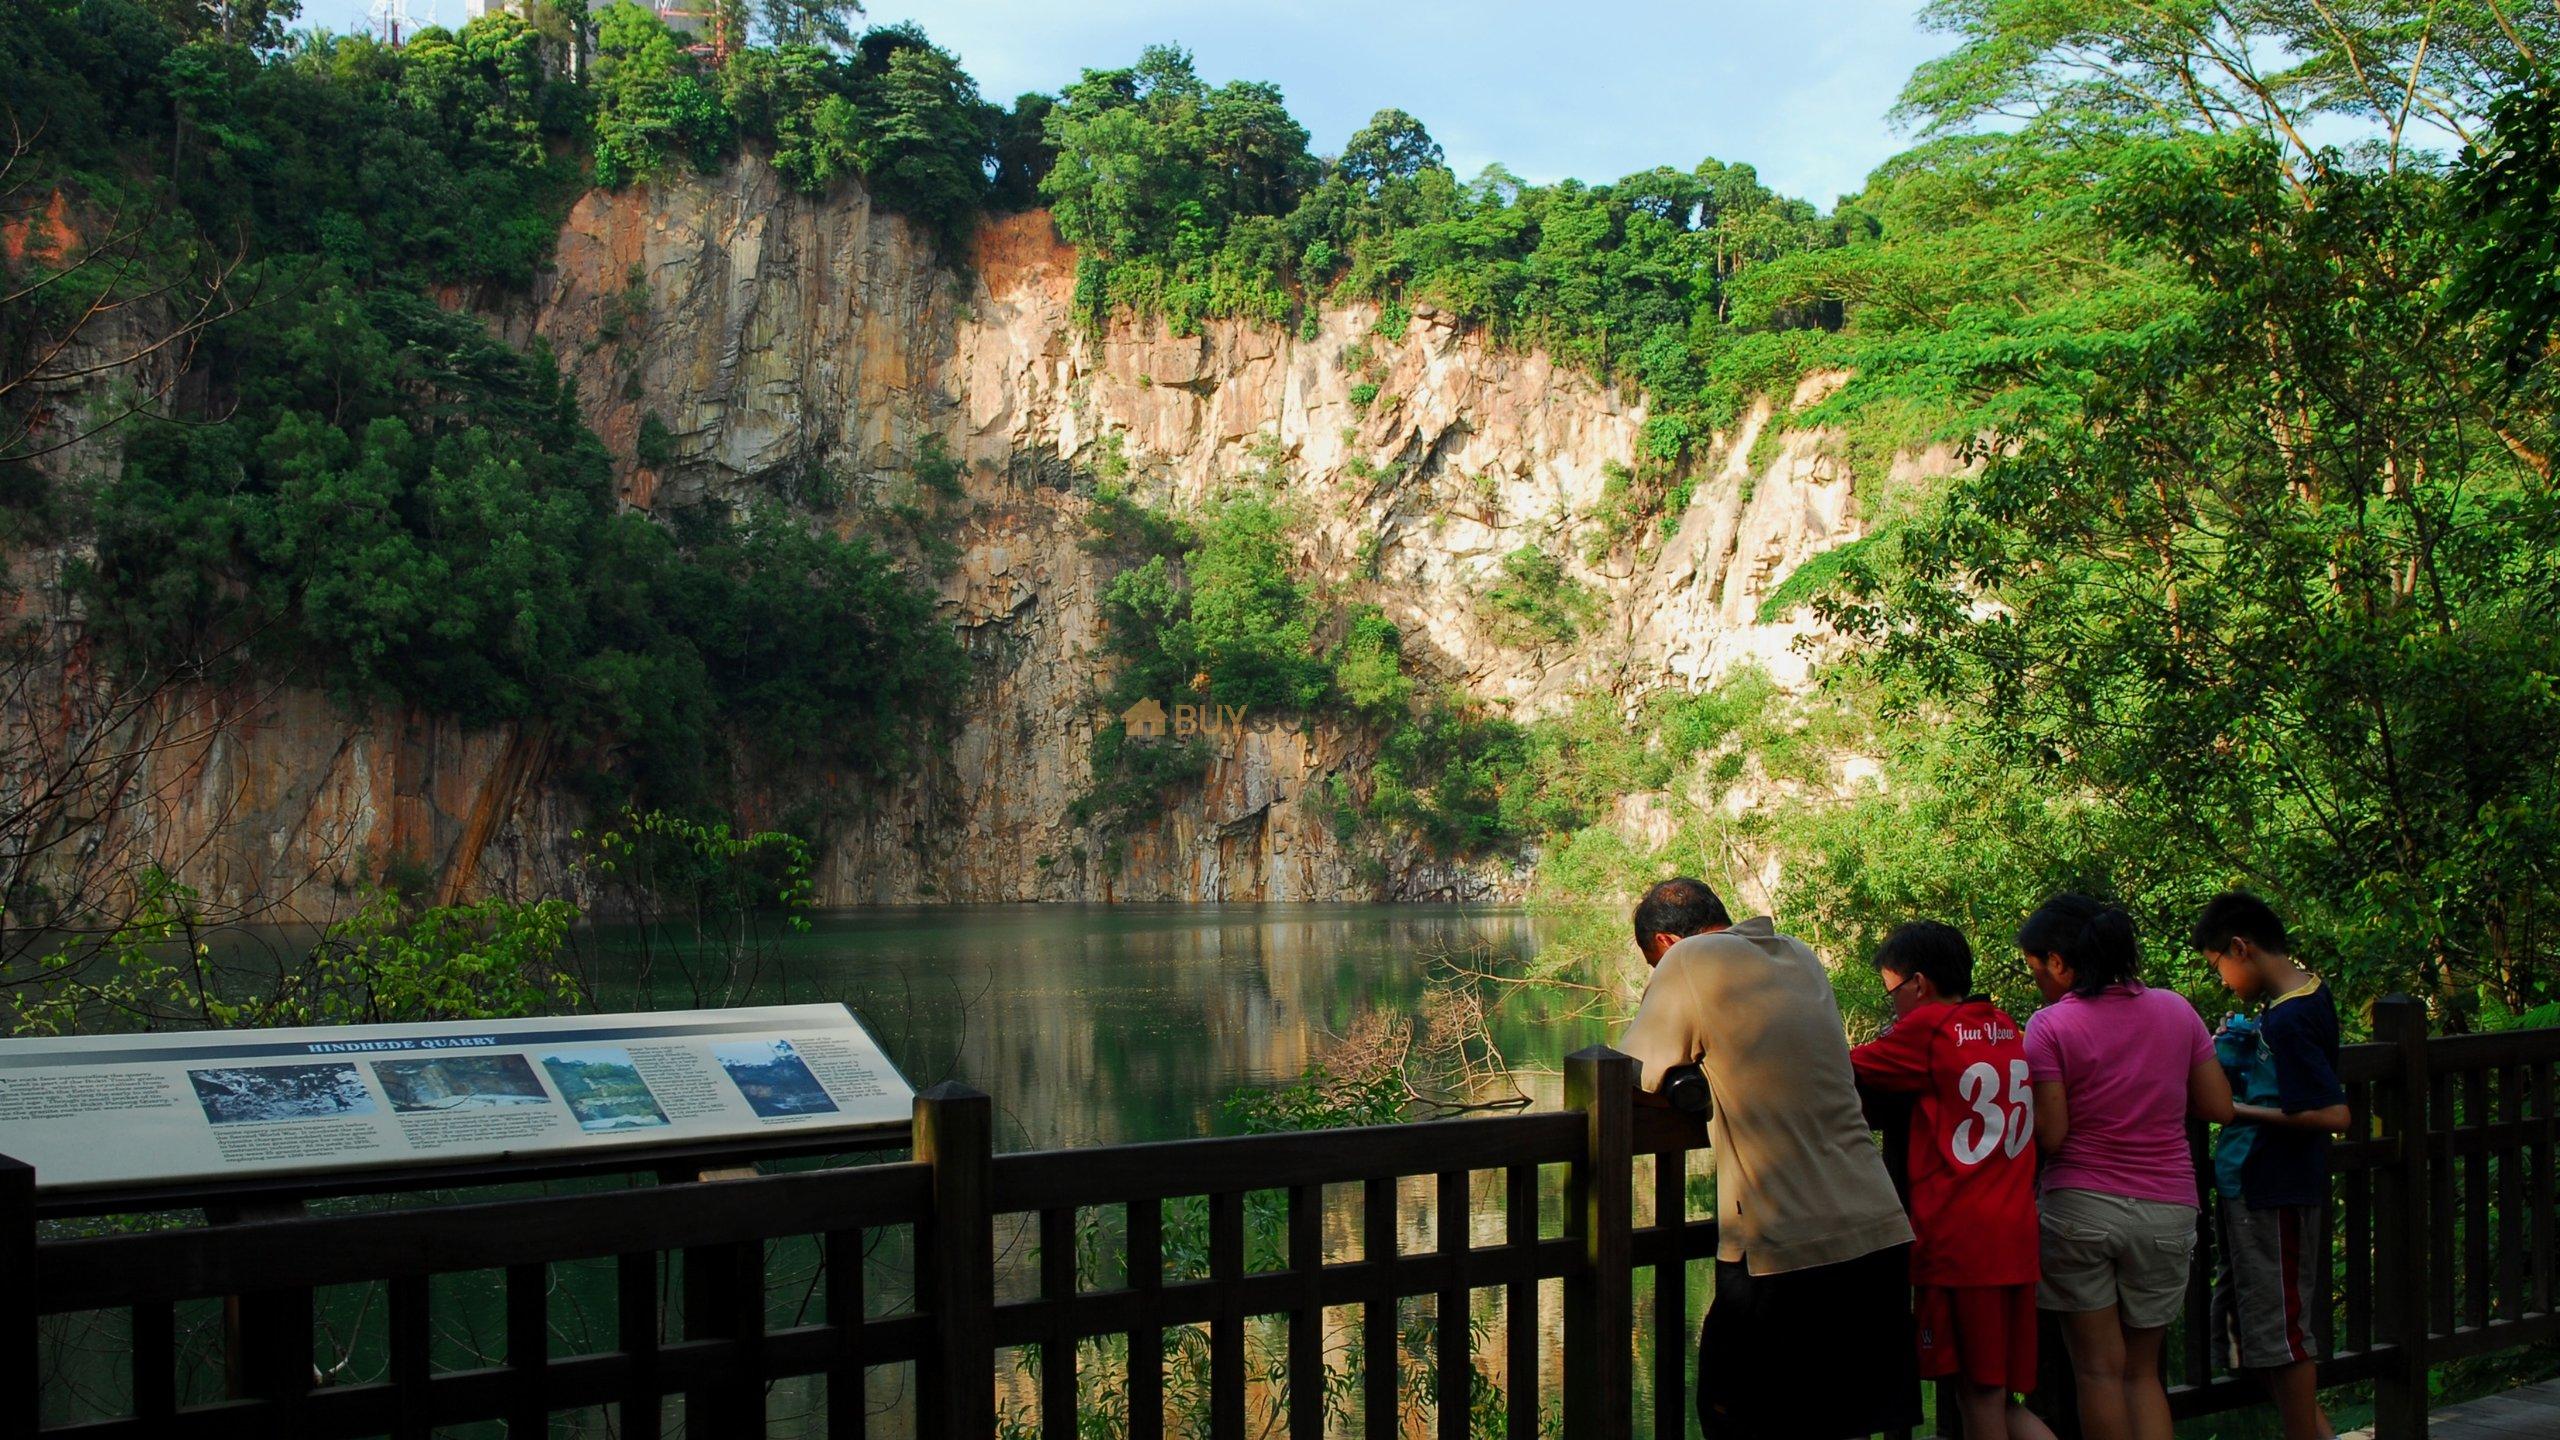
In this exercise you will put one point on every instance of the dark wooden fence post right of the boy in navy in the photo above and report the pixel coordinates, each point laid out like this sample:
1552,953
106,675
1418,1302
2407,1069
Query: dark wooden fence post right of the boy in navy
2400,1234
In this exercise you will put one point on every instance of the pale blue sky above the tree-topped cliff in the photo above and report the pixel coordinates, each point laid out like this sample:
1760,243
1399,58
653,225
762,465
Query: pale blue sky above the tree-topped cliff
1586,88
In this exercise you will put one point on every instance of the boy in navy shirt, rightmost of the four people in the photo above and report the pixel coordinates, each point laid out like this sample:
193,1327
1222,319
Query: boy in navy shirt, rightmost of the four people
2272,1162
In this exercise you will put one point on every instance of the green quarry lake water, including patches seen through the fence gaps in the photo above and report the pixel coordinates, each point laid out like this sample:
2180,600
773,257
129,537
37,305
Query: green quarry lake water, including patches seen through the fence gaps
1087,1026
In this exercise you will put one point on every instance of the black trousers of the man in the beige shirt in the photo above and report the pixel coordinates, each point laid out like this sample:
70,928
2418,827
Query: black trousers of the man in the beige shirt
1819,1354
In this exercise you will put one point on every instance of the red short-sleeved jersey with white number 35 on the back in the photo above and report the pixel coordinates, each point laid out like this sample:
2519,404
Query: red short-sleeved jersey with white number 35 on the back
1972,1154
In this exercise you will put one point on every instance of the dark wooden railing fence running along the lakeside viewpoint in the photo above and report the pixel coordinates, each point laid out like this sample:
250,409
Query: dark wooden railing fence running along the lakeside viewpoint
2441,1244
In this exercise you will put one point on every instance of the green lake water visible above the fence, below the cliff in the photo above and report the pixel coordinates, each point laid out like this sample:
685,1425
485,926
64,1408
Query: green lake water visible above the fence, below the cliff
1110,1024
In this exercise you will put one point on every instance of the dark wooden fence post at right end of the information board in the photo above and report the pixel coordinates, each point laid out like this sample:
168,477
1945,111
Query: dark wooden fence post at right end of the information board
956,1262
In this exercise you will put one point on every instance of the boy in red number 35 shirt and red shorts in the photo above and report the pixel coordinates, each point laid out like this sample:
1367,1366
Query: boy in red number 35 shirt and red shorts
1972,1175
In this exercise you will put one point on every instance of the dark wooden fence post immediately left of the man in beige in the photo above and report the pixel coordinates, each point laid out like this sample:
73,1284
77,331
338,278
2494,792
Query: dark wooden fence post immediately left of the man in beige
1601,1213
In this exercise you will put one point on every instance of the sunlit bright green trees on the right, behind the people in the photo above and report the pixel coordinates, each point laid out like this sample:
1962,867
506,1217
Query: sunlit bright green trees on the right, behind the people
2252,580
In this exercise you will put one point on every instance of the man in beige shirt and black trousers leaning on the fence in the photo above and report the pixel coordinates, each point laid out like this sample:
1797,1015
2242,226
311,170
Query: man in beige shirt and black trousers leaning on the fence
1811,1329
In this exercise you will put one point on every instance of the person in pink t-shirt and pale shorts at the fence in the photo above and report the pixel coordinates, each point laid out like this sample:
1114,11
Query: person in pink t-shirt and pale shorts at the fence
2116,1072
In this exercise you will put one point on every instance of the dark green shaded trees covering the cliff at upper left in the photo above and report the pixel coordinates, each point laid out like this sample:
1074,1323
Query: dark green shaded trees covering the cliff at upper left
362,488
